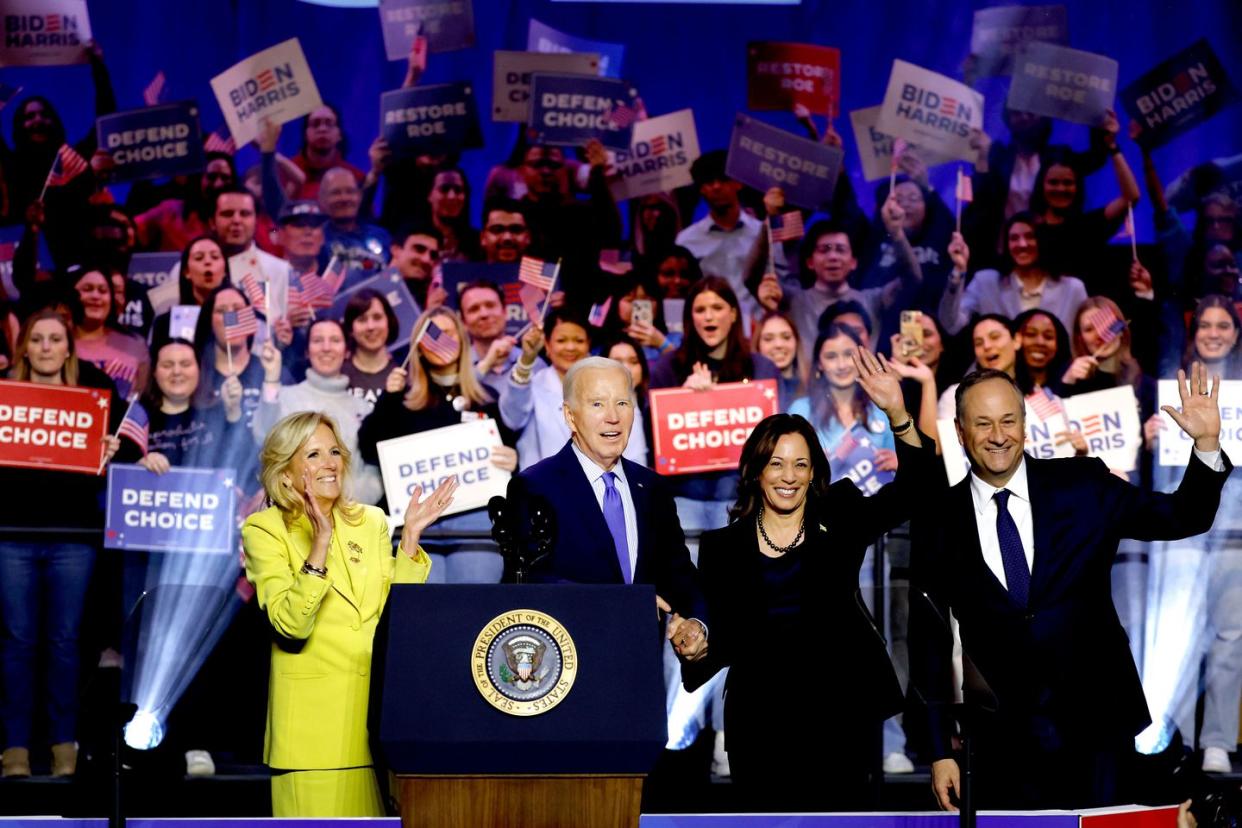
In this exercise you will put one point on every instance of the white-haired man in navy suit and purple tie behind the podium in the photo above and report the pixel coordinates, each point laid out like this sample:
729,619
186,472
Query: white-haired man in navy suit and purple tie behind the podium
614,521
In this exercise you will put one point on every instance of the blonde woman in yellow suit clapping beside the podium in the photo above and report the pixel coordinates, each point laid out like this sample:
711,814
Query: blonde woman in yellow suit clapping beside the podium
322,567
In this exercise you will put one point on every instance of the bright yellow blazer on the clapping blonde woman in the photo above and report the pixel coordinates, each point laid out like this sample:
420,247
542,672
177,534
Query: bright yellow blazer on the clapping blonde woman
322,652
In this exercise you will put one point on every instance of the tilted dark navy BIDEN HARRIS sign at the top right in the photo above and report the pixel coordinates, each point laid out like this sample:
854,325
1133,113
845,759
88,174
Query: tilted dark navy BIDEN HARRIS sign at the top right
1178,95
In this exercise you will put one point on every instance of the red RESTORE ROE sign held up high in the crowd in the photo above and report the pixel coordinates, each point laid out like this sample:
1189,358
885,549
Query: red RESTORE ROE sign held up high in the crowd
781,75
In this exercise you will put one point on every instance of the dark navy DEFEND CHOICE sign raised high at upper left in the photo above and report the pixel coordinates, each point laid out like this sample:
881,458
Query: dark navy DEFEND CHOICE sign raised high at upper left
152,143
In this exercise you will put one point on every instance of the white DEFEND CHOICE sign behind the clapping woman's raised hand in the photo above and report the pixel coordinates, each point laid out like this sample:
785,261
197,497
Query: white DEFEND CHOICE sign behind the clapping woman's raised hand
432,457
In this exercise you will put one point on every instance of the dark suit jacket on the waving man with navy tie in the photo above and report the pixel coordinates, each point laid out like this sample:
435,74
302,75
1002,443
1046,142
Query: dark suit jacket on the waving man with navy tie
1060,667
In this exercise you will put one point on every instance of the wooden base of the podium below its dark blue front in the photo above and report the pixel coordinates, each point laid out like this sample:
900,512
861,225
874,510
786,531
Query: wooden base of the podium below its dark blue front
519,801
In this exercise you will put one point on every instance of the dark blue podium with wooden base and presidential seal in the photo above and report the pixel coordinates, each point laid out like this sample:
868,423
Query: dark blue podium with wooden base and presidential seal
519,704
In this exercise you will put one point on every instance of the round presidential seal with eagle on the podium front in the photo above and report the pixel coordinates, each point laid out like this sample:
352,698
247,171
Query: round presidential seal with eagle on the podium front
525,662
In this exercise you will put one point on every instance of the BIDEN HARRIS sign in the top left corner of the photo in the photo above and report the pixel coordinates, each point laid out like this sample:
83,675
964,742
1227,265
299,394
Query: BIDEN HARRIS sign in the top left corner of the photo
44,33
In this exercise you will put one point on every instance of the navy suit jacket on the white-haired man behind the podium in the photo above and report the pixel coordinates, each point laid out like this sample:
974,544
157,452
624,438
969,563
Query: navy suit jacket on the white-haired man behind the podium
584,553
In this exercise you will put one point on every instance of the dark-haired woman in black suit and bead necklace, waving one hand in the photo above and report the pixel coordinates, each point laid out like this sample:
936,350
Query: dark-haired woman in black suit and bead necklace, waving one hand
810,682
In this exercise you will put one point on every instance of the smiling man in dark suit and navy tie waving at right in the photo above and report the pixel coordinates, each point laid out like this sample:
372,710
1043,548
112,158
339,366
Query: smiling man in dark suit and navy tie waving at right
1022,553
